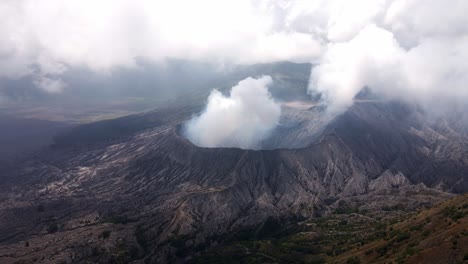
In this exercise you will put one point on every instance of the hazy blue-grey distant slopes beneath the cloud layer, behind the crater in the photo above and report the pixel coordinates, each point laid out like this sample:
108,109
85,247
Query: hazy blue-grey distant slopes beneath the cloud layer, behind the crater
148,85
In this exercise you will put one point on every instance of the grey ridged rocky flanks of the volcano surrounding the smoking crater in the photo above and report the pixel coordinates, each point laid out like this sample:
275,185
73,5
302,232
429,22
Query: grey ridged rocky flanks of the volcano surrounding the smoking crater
163,184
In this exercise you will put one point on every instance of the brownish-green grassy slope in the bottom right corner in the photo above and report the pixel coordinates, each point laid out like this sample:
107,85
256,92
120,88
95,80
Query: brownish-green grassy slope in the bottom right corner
437,235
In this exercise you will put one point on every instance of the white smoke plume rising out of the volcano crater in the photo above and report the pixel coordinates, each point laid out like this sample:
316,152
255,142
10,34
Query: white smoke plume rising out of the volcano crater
242,119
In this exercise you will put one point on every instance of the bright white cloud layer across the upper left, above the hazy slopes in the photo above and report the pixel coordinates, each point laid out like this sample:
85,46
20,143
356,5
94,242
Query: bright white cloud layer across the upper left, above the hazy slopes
104,34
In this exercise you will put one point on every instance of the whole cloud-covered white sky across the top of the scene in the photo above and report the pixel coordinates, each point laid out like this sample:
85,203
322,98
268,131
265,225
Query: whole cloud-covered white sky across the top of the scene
415,50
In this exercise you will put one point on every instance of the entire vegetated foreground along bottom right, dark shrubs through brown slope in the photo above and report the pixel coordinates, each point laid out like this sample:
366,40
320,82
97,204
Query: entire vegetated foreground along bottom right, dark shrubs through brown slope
436,235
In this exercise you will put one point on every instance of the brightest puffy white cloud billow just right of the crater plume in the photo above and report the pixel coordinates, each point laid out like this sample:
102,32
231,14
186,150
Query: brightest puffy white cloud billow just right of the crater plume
371,58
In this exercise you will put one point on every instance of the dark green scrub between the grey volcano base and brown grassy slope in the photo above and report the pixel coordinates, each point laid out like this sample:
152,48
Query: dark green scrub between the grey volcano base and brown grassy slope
313,241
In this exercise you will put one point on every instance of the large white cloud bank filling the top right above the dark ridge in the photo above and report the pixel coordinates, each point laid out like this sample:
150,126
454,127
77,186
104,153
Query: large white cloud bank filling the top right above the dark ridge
412,50
